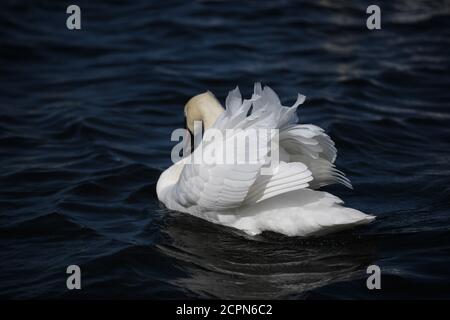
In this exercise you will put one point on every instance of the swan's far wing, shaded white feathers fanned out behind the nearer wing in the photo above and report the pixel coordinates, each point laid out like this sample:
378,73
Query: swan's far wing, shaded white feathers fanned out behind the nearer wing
310,145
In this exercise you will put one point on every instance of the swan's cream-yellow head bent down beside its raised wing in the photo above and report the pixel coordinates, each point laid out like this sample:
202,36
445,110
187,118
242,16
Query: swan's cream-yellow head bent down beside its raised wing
203,107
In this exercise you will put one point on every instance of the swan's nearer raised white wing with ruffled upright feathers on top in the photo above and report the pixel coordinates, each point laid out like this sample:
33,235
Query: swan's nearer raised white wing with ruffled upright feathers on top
218,187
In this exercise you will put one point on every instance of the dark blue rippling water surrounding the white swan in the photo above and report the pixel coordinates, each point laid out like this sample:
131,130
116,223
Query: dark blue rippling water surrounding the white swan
85,124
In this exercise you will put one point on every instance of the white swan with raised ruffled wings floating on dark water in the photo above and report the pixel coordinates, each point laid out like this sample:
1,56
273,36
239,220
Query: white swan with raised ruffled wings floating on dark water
239,195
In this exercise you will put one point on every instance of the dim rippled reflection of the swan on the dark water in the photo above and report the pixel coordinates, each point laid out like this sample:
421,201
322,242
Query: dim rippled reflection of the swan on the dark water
223,263
